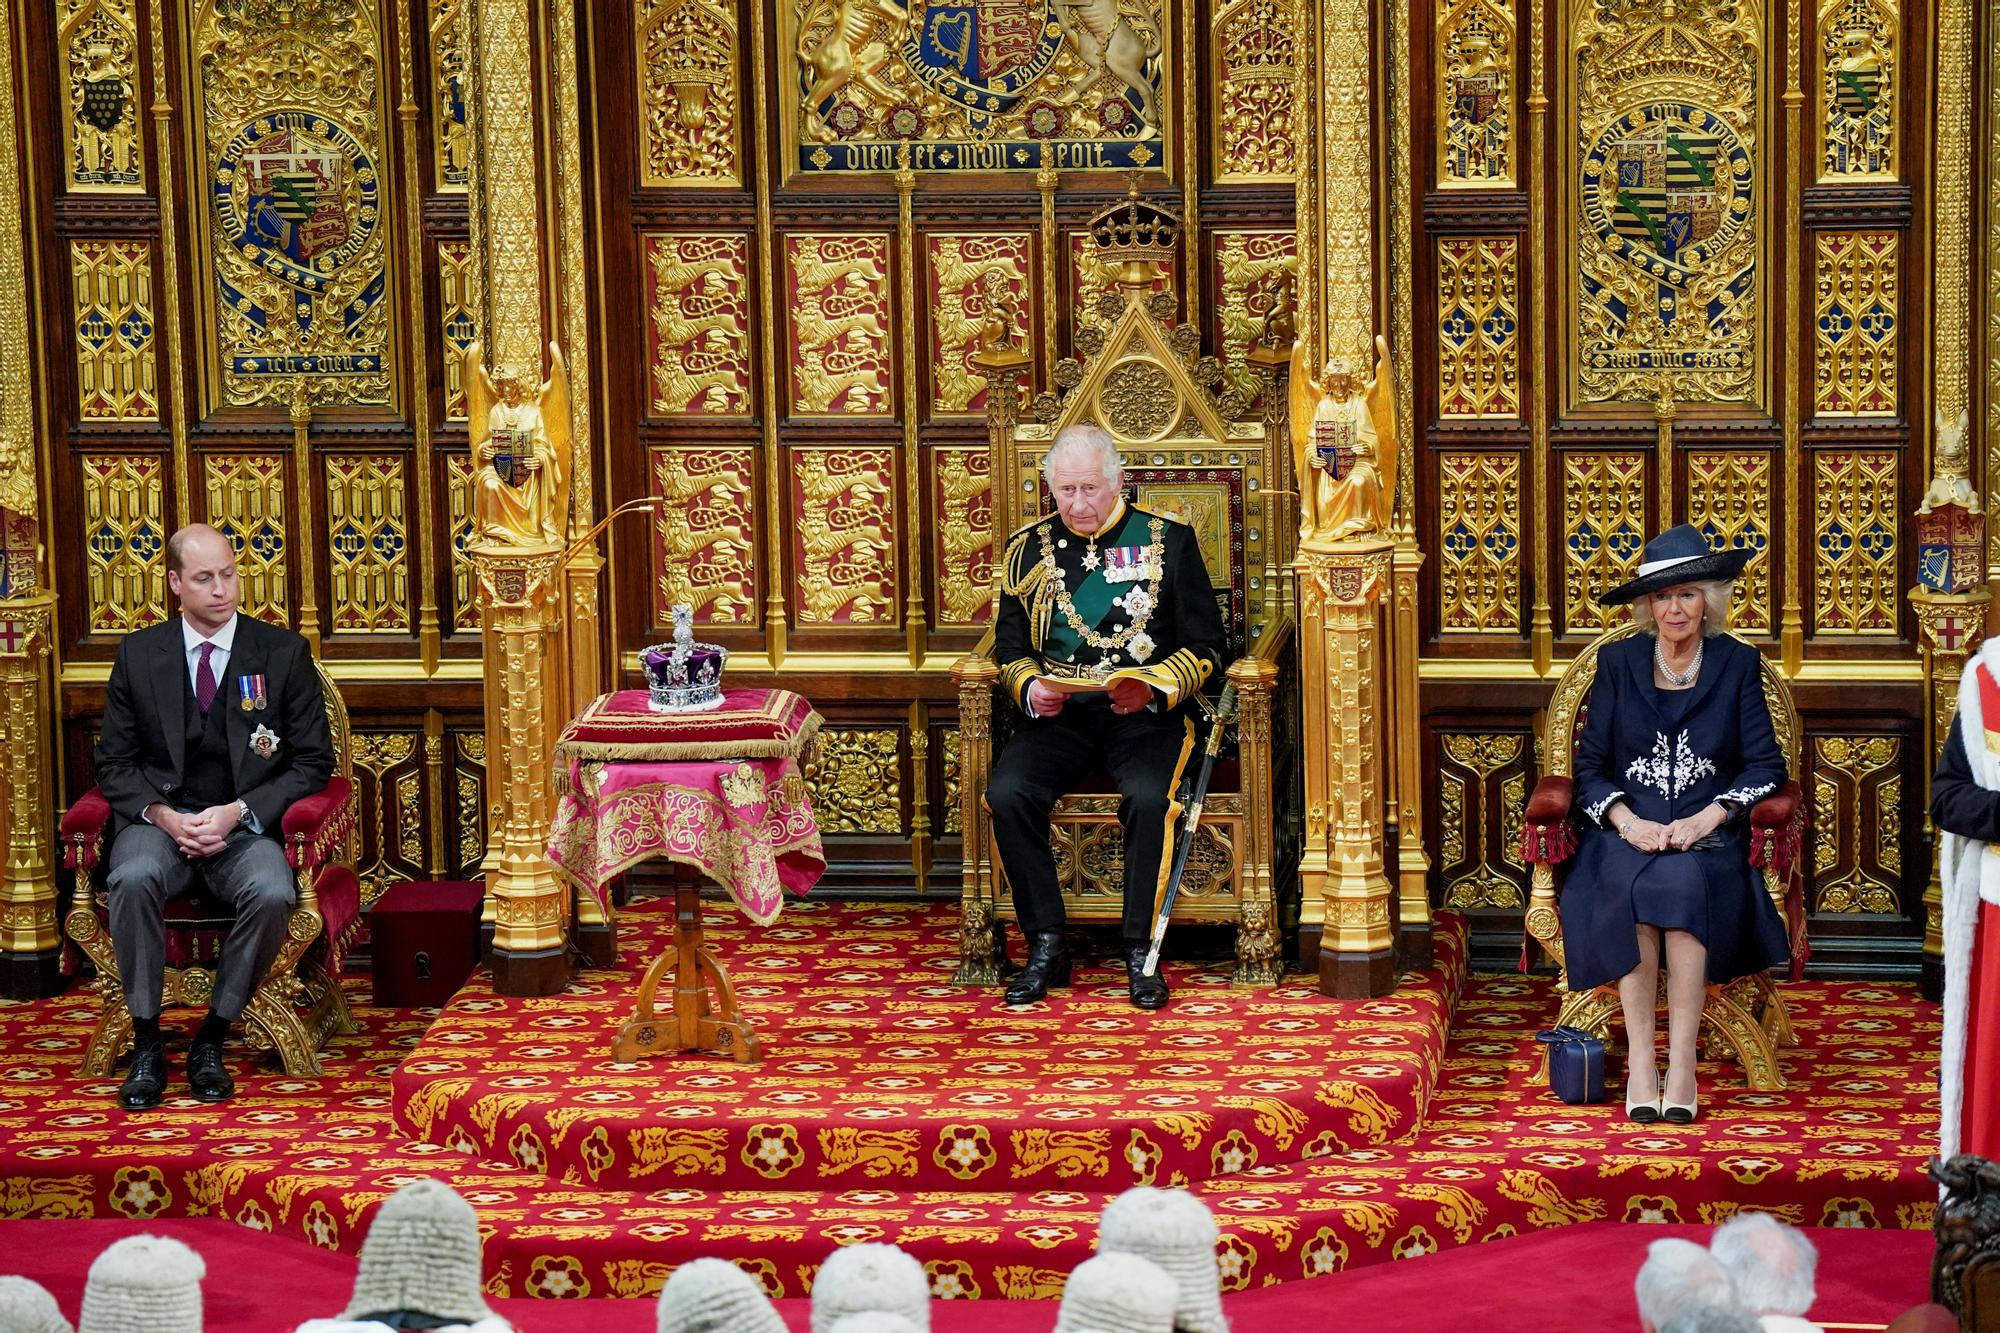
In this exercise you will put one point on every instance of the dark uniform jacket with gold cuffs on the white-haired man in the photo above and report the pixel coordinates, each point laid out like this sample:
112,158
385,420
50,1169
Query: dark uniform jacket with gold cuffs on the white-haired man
1185,625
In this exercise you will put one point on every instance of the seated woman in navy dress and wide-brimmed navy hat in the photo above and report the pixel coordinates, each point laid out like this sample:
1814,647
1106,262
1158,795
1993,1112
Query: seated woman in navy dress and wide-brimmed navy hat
1677,746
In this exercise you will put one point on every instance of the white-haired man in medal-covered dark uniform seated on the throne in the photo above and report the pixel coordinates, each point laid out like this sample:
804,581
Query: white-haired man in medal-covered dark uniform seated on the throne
1099,587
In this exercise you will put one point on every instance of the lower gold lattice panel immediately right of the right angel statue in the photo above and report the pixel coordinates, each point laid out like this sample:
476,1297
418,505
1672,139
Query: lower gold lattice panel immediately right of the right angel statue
1479,541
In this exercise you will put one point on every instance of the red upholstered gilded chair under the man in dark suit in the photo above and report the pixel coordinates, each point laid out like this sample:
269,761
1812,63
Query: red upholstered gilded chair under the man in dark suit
299,1004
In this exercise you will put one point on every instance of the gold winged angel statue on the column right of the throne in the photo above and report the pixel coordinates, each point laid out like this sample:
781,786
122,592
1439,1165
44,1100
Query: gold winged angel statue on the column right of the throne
1343,449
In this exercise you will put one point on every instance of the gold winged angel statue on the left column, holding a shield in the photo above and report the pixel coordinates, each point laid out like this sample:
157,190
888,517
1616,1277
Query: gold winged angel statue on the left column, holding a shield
521,453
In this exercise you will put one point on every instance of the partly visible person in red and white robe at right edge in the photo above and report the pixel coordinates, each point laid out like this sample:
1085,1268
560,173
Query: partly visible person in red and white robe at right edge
1965,806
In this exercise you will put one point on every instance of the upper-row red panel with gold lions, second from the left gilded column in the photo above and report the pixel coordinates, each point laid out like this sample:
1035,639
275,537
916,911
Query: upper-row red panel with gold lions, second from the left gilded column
839,299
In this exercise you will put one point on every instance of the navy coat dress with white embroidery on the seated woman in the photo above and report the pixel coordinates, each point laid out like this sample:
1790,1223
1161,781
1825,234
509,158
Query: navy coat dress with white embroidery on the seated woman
1667,756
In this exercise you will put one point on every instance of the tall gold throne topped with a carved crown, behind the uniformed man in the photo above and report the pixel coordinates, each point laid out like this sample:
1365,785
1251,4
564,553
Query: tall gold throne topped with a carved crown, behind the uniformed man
1193,449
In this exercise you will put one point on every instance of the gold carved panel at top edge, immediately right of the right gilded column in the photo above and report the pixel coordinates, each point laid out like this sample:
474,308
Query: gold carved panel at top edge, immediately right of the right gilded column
1477,53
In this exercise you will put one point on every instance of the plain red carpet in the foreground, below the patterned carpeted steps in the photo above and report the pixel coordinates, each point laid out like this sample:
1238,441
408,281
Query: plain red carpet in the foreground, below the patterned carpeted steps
1577,1280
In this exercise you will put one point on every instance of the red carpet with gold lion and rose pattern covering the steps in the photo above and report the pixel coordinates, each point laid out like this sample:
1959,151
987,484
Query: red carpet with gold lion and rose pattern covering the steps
843,1140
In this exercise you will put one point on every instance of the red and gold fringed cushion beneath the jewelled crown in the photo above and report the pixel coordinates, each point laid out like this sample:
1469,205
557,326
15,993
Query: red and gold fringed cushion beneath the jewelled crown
749,726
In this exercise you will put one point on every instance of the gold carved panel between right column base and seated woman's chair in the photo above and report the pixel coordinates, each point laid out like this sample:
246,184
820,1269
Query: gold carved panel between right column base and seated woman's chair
1483,782
